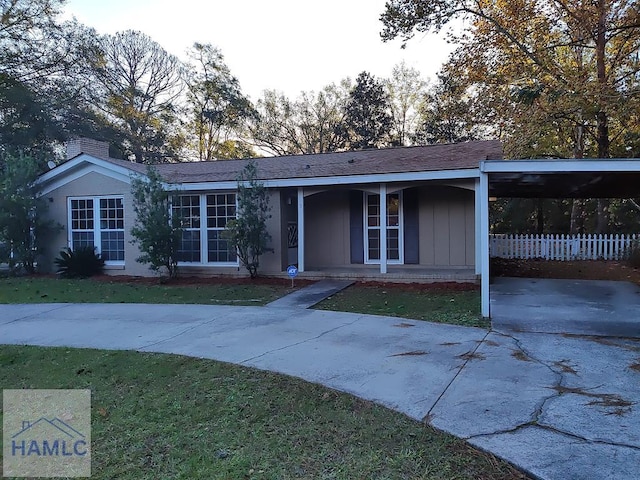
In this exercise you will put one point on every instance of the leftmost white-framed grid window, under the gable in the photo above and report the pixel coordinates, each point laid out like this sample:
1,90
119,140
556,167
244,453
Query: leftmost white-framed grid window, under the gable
98,222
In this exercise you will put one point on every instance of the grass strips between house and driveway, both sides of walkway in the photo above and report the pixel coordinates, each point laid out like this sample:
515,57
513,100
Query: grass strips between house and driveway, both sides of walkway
421,302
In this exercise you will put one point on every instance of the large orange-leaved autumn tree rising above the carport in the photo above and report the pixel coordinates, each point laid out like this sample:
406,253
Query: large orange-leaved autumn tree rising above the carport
560,78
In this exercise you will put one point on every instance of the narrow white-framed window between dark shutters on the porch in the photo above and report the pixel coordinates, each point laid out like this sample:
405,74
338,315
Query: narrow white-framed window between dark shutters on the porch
373,226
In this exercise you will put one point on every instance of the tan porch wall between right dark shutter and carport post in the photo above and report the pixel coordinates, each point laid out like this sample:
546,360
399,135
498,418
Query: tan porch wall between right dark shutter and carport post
447,226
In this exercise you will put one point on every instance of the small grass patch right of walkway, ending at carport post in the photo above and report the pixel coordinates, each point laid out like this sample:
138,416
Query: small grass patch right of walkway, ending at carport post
446,303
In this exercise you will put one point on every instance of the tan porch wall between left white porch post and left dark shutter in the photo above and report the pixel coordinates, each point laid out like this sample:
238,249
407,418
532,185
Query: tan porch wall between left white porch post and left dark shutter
327,229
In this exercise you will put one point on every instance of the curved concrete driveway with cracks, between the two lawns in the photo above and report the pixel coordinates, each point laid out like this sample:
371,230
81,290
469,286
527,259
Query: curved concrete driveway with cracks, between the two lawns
558,406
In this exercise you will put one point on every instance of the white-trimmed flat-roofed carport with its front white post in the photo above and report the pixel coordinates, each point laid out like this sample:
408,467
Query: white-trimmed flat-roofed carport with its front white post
548,178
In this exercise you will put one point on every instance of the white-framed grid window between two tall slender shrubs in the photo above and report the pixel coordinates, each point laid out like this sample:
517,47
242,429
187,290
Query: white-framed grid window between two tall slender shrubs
202,240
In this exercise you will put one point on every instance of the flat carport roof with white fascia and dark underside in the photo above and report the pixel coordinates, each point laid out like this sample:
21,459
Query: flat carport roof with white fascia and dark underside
561,178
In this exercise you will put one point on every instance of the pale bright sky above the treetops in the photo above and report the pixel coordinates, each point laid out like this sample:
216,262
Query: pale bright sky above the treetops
288,45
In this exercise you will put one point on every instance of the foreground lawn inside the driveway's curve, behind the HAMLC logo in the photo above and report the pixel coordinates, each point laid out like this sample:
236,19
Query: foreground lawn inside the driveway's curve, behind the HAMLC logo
164,416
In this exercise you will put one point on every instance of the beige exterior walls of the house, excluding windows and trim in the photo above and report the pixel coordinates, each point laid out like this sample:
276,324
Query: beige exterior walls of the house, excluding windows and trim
446,228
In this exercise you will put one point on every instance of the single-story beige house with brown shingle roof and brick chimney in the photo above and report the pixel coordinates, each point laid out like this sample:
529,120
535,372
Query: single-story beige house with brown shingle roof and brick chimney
330,213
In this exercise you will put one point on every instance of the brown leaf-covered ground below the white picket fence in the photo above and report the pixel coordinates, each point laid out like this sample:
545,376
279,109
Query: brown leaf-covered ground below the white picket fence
581,270
